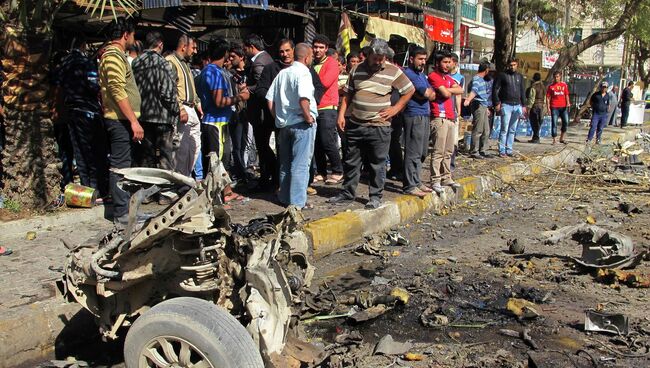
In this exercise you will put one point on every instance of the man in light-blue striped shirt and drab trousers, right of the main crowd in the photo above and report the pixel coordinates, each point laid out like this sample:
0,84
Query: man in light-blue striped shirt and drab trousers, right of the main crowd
480,99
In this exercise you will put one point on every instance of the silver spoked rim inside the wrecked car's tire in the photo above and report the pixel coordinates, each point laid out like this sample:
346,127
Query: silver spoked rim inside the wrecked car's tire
172,352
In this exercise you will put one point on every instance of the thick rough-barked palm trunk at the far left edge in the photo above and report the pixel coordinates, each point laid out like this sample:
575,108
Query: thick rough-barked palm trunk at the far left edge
31,173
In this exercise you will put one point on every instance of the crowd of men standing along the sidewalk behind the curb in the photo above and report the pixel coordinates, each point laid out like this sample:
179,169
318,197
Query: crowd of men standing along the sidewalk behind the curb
334,118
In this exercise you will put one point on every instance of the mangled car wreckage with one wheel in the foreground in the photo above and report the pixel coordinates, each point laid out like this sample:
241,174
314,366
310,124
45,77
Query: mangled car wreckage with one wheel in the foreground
143,275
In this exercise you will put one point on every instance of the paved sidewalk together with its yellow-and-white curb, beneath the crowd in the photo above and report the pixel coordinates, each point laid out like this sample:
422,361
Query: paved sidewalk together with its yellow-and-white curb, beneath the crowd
33,315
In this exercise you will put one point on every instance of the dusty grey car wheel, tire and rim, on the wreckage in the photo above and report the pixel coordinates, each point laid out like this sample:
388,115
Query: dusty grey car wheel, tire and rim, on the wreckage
189,332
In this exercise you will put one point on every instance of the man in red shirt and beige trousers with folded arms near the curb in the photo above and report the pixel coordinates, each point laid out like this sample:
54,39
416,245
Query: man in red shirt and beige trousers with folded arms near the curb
443,124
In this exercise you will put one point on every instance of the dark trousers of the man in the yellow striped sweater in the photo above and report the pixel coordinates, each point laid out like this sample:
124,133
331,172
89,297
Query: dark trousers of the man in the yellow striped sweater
119,136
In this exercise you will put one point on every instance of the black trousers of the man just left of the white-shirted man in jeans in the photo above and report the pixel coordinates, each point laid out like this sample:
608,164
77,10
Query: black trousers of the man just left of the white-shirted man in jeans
263,125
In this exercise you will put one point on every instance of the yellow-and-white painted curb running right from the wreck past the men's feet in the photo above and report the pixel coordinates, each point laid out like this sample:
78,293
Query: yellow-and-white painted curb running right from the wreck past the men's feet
345,228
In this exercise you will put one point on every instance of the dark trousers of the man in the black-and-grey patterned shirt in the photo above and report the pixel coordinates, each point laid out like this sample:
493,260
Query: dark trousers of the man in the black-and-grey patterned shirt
156,149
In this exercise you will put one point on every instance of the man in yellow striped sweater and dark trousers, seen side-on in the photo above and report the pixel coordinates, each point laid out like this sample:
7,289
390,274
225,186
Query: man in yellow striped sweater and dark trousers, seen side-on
121,100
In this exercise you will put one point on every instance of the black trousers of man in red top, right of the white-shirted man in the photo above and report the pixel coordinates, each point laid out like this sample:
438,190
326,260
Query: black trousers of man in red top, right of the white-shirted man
327,143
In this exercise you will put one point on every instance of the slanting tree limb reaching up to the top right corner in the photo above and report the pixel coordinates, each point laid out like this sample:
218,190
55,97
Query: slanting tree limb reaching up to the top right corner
569,54
